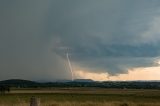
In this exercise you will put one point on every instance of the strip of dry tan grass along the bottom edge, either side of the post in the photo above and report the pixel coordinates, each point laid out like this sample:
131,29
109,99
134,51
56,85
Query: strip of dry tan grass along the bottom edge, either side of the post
54,103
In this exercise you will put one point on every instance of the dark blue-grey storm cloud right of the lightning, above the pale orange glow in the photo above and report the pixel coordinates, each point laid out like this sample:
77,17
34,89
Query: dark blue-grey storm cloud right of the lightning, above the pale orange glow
111,35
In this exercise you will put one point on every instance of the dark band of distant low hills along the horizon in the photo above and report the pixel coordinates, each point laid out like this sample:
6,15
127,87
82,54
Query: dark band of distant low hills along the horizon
19,83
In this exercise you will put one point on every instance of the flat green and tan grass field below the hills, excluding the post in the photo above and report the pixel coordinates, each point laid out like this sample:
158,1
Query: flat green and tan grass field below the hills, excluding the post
82,97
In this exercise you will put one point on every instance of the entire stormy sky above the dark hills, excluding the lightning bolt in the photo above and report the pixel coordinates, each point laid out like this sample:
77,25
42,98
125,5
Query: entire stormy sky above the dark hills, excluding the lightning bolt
104,39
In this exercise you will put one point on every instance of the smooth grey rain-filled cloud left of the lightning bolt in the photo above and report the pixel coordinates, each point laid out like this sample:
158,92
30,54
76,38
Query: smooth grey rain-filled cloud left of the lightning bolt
25,44
